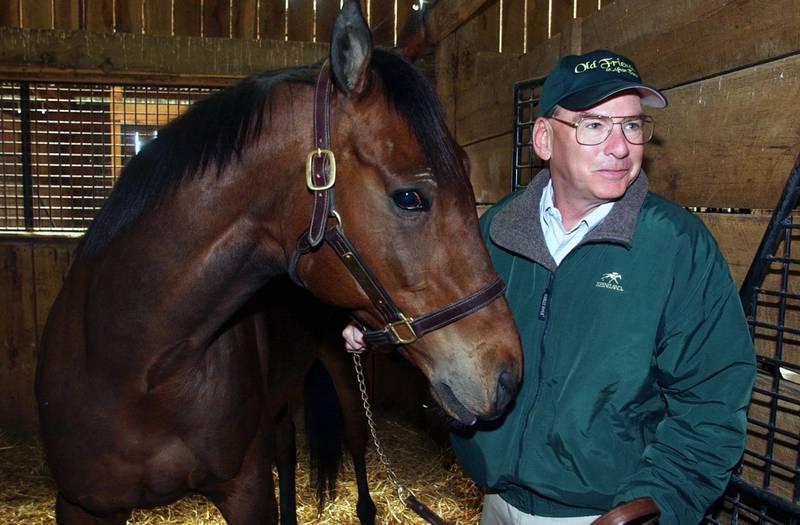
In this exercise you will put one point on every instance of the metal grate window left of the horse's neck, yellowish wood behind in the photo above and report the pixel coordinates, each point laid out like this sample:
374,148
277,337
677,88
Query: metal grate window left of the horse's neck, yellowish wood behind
62,146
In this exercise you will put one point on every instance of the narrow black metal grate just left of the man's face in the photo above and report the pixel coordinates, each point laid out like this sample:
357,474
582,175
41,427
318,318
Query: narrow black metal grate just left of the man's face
526,109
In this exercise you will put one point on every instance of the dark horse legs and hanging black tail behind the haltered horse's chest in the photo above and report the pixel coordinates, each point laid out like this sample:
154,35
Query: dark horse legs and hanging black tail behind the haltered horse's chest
324,376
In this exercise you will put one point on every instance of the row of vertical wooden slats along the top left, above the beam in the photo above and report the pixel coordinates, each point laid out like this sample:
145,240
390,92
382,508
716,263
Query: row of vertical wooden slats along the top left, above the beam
303,21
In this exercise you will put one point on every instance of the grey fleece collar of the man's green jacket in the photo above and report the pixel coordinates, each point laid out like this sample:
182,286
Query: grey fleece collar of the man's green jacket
517,229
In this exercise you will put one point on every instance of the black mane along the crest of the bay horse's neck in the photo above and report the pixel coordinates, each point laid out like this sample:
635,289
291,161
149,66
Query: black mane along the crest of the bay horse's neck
210,135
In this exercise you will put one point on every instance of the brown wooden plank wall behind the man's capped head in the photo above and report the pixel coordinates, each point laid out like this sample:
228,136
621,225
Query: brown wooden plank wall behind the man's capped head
731,72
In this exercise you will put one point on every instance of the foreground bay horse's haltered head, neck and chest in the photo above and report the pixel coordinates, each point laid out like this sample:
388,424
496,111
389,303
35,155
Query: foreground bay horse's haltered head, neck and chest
153,379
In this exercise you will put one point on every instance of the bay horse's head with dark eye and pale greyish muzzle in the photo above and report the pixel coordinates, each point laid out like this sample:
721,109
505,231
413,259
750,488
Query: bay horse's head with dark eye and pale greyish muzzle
404,203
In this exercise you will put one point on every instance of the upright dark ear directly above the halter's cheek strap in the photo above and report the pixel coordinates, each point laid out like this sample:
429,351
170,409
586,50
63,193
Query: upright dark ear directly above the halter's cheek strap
351,49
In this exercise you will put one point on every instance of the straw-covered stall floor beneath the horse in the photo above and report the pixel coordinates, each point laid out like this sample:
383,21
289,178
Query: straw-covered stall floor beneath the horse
27,492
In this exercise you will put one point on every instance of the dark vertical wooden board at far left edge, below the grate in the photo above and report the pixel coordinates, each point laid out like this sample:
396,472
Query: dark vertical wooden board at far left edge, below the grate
18,339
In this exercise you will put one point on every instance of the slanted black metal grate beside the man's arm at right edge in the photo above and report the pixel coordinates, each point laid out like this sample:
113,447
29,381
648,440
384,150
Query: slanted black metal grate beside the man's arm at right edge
767,487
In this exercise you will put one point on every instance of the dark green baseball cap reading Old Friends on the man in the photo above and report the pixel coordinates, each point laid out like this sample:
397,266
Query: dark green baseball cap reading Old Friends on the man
581,81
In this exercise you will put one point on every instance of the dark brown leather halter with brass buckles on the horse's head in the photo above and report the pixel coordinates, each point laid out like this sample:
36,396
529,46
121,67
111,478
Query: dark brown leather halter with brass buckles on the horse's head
399,328
